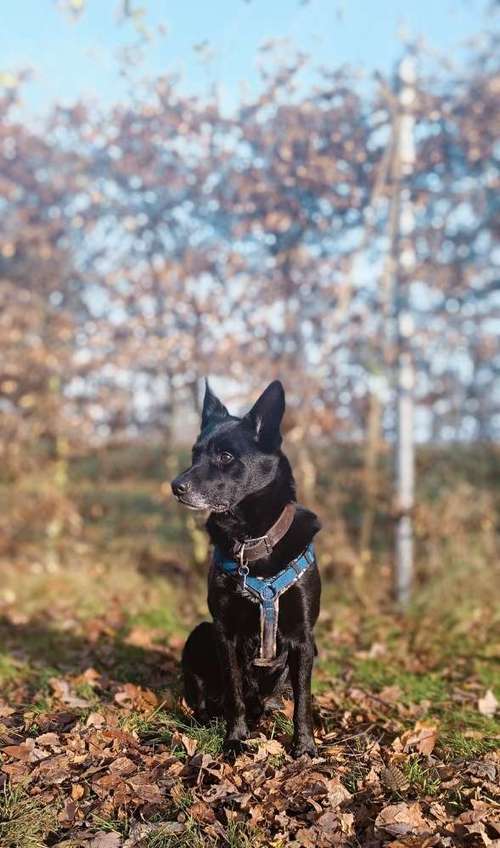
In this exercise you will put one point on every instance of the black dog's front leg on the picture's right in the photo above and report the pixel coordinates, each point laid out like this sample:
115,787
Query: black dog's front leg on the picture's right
301,657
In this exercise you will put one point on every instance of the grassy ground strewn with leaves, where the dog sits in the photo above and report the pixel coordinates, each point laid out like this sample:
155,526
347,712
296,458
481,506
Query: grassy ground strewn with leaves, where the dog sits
98,750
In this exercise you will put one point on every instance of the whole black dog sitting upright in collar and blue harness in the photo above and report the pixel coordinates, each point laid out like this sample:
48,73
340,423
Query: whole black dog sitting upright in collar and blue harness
264,585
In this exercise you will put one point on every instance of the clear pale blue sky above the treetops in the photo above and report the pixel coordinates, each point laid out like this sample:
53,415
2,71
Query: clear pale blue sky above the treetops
73,59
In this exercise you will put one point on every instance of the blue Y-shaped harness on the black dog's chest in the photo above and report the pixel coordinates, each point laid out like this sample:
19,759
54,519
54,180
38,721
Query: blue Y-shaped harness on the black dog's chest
267,591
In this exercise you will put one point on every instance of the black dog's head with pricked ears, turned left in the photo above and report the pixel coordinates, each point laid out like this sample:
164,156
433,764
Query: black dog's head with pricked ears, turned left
233,457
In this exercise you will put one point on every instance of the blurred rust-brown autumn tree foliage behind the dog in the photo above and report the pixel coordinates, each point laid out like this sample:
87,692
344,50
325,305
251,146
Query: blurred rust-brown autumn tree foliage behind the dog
163,239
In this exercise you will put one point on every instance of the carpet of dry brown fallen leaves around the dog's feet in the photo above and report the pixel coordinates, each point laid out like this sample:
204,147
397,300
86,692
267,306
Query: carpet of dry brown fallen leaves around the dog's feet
88,758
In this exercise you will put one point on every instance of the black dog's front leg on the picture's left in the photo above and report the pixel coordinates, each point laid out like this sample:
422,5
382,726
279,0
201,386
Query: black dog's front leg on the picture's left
234,705
